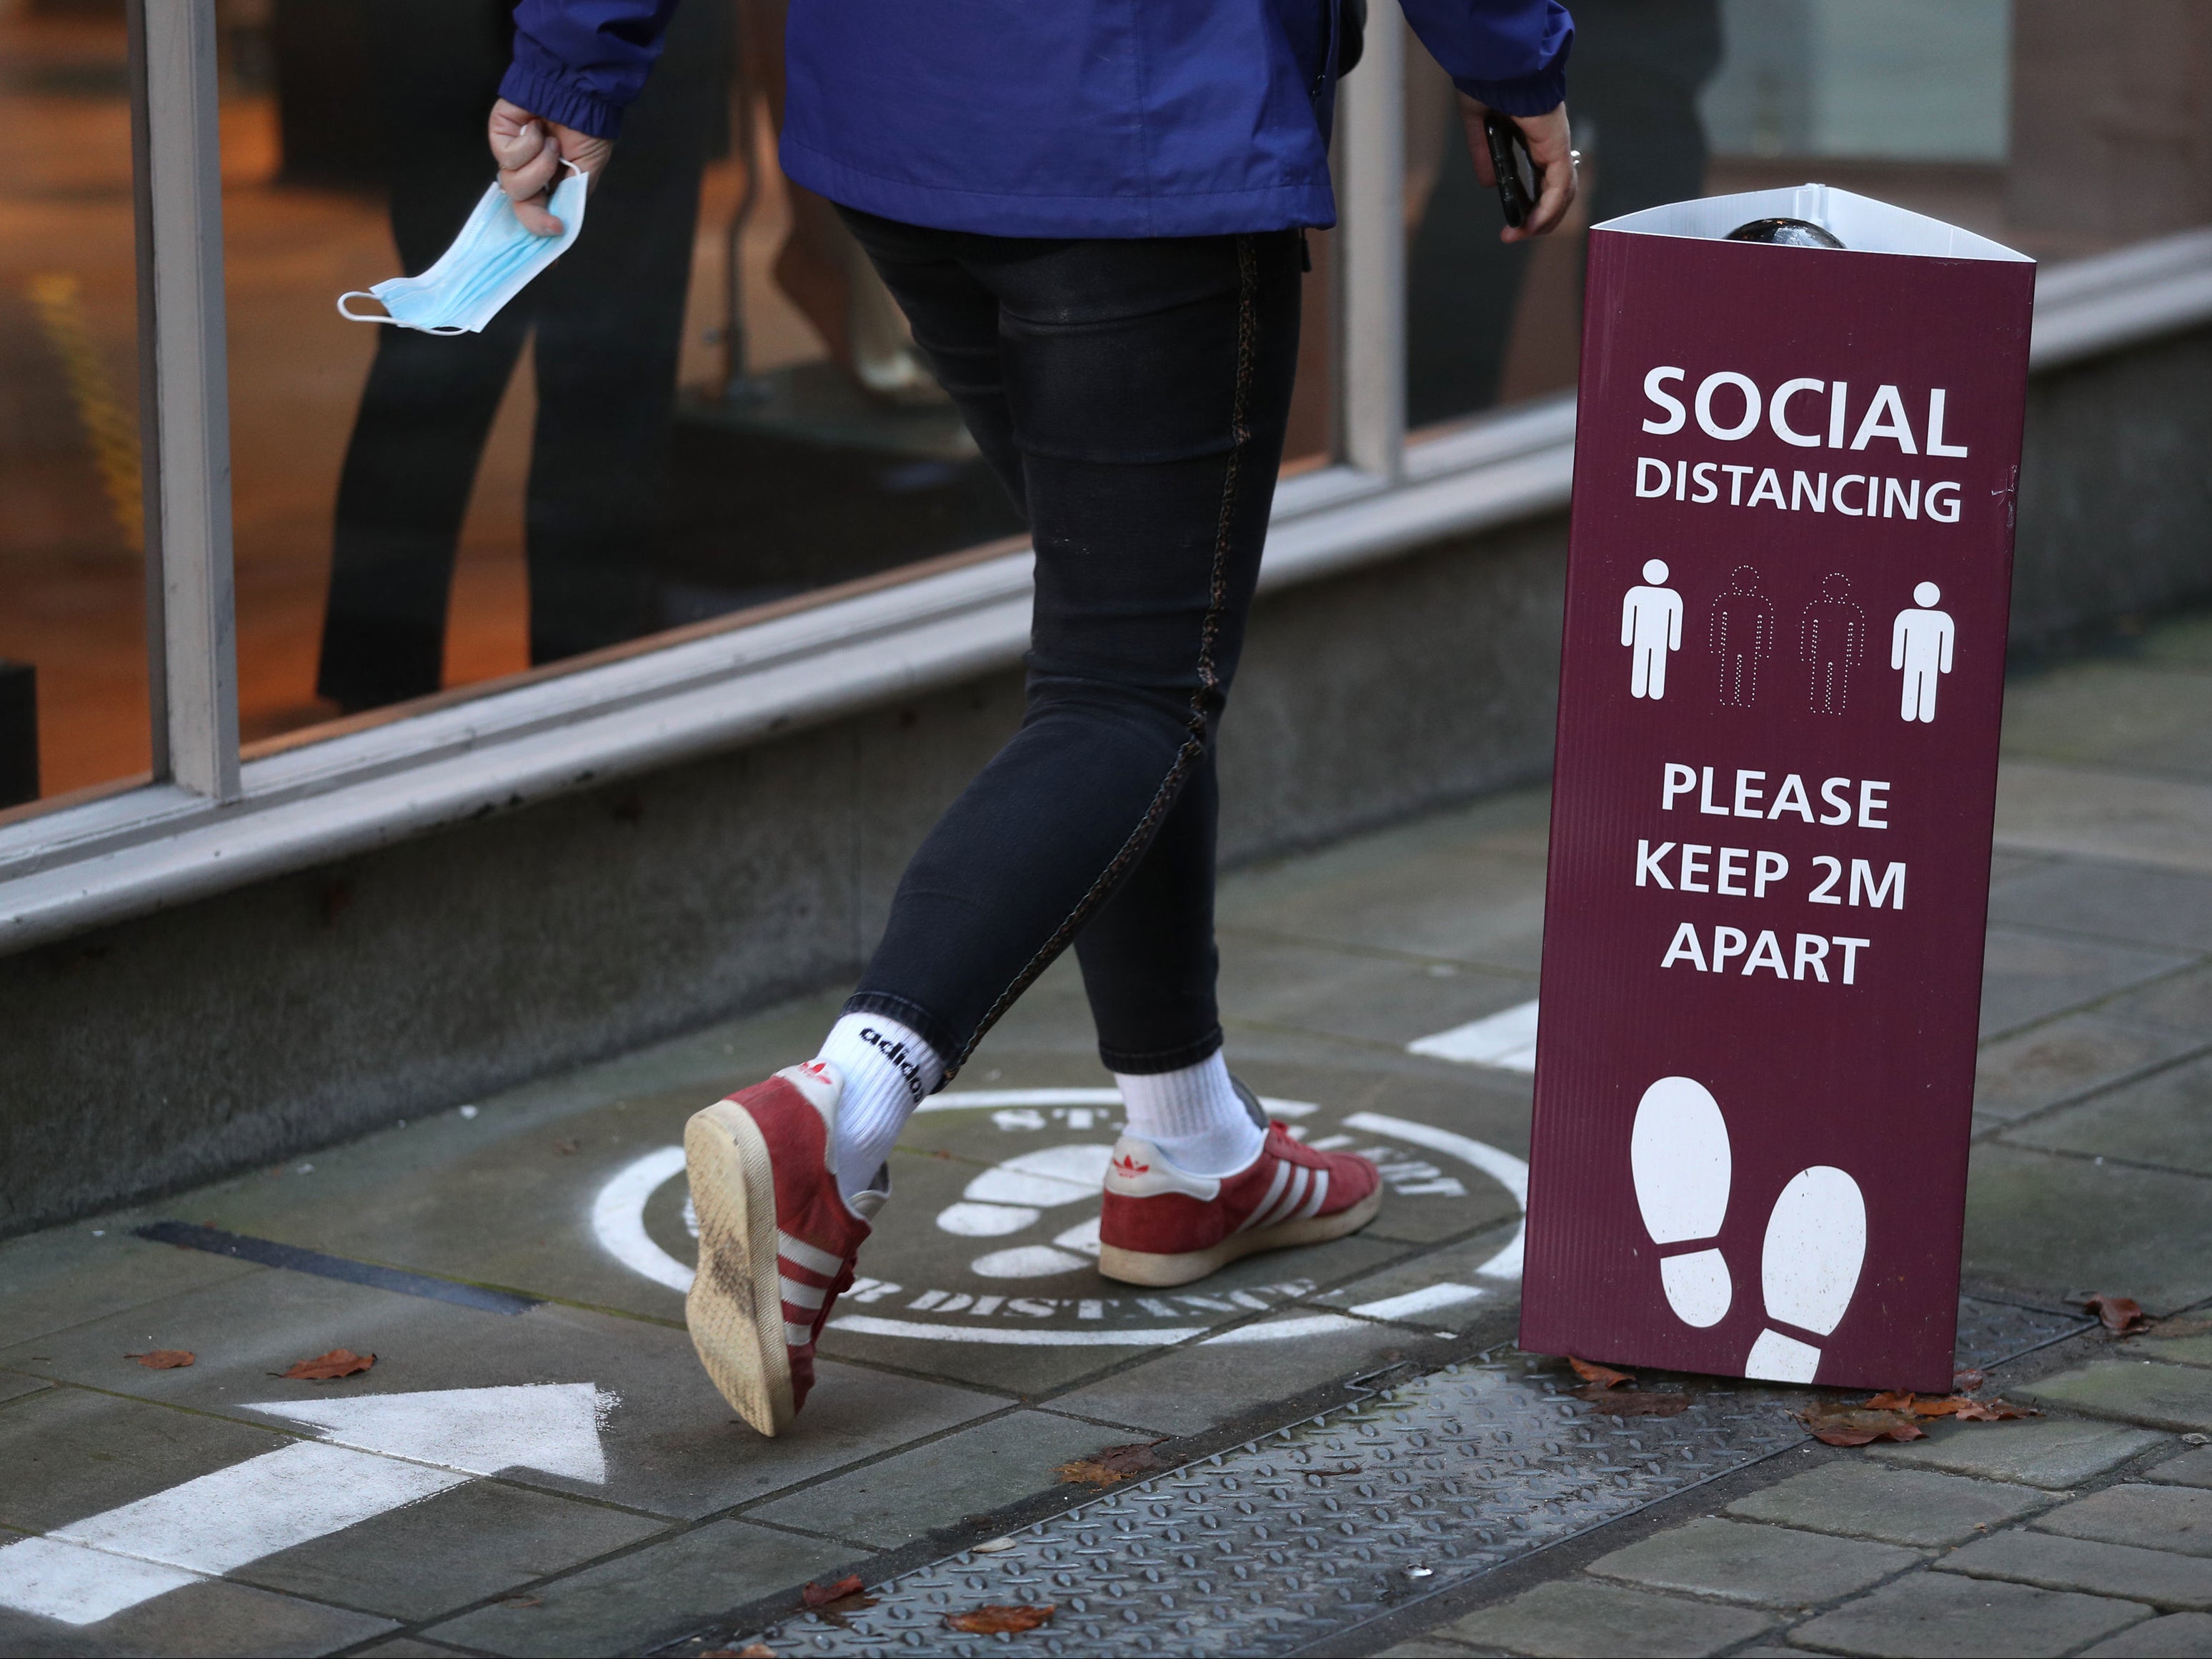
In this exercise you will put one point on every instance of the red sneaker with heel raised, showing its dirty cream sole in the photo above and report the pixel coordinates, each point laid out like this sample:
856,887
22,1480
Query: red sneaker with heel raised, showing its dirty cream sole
775,1238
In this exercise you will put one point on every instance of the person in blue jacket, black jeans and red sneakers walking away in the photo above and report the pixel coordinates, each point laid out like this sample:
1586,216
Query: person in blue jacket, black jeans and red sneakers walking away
1094,220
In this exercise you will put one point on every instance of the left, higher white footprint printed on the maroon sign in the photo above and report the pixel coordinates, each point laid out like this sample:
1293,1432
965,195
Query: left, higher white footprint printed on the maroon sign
1682,1167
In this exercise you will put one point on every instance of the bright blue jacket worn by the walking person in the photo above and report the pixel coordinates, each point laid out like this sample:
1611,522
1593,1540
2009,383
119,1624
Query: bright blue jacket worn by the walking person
1054,118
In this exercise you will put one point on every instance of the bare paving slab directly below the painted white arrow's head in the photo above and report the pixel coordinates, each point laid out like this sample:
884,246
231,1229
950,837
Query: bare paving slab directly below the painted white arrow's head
448,1552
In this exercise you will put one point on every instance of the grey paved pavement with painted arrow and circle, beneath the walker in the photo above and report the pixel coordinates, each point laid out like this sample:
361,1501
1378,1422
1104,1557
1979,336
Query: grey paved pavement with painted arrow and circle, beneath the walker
983,1350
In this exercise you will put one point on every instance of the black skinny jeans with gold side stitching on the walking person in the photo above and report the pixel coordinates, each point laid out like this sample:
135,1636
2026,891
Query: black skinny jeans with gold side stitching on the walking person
1134,397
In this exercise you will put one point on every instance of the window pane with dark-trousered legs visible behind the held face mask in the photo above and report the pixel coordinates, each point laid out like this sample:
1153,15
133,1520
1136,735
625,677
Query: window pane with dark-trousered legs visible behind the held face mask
705,406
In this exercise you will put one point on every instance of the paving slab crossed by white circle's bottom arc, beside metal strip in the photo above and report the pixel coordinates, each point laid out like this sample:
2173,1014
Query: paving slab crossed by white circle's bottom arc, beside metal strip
1224,1377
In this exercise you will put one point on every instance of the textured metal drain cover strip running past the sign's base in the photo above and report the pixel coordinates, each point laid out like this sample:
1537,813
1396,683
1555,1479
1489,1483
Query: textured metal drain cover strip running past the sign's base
1337,1521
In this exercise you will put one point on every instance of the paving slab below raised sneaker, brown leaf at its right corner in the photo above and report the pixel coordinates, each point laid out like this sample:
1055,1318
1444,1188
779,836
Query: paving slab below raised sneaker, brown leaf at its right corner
917,1492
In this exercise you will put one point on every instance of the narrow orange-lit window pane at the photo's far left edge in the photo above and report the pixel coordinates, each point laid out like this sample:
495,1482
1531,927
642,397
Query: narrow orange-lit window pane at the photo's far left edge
72,539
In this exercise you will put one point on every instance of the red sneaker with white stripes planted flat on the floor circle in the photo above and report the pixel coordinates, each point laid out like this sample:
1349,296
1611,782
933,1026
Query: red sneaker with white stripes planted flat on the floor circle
1162,1227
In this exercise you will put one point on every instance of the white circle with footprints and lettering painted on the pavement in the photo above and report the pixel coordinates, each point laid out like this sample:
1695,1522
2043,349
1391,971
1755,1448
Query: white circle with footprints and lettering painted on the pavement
1012,1196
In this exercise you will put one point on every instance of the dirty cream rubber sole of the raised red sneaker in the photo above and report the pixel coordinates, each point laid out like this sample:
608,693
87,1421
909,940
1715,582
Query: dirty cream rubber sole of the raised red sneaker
735,1306
